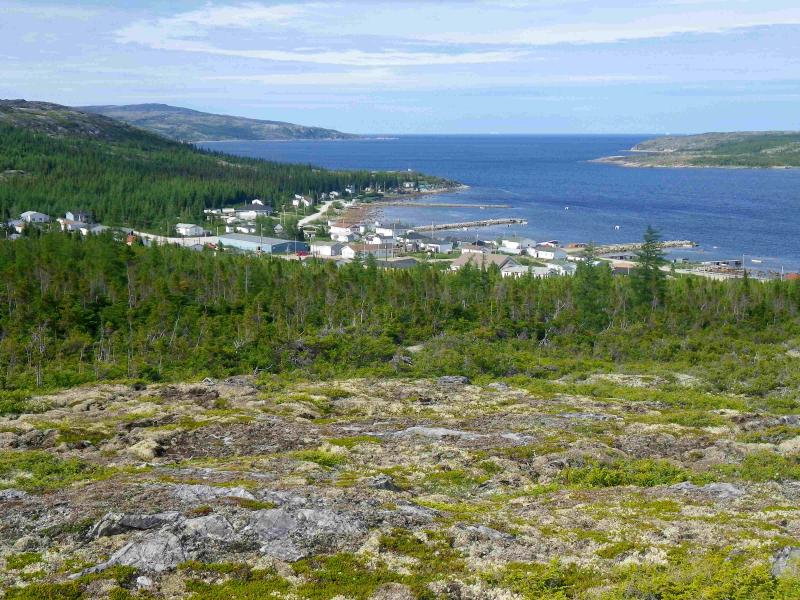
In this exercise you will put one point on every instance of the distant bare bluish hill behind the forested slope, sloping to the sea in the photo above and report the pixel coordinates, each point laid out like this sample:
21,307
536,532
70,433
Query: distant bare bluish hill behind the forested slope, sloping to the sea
188,125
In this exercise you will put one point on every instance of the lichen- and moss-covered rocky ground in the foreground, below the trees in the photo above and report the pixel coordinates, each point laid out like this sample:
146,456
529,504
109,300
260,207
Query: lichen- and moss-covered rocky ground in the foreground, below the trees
611,487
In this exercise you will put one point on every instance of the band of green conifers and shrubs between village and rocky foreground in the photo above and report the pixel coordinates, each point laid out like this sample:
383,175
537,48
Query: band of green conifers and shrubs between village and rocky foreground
75,310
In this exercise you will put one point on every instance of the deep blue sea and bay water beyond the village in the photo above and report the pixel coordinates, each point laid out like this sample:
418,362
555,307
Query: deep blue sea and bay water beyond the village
549,181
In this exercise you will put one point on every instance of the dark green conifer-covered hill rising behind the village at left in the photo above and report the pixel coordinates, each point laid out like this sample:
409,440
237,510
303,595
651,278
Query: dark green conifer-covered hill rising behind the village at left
54,158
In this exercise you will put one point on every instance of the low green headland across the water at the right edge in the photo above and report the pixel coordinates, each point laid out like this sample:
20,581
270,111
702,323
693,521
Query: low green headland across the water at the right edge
758,149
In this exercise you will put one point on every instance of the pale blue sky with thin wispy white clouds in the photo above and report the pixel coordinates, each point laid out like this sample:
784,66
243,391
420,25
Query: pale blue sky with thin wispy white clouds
405,66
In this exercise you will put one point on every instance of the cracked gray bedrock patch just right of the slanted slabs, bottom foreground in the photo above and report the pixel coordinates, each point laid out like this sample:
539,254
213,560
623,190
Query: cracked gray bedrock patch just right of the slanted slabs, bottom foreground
293,534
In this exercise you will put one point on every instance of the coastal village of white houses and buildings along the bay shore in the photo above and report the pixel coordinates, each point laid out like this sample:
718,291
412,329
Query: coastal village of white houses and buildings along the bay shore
344,229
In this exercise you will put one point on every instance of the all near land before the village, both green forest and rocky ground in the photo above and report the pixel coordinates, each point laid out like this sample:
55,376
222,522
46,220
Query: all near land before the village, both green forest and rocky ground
176,424
